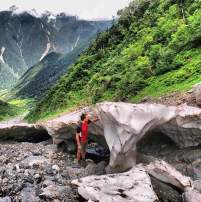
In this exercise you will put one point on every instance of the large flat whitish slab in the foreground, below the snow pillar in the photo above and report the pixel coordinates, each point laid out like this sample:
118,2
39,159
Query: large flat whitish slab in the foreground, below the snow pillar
134,185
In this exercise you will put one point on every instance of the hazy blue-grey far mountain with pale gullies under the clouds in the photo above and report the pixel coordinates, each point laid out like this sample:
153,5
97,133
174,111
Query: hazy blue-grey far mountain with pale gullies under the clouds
26,39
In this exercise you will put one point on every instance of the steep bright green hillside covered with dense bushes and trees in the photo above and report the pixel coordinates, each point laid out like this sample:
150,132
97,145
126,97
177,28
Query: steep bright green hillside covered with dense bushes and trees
153,49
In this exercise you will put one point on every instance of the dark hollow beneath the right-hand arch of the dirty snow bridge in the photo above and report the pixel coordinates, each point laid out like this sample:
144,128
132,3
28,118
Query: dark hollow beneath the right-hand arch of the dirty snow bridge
156,145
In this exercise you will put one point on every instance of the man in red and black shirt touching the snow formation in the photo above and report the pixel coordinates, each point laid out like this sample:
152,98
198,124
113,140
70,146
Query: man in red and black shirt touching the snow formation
82,136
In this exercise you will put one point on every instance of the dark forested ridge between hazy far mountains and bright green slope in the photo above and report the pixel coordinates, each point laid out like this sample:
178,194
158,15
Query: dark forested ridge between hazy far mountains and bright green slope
40,77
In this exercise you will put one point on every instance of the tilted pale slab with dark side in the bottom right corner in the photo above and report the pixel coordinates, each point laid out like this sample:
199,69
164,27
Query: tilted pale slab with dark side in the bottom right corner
168,175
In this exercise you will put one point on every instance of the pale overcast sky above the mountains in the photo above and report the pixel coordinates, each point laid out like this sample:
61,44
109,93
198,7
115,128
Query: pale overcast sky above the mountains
87,9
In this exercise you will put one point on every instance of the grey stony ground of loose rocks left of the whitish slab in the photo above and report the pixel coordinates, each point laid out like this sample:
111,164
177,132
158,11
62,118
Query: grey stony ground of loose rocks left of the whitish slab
37,172
